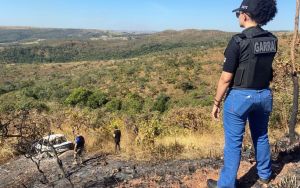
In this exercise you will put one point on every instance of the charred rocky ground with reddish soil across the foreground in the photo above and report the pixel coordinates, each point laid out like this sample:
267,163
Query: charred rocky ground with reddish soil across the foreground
100,170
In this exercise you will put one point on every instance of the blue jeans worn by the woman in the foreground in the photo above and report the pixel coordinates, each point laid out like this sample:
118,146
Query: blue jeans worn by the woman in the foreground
242,105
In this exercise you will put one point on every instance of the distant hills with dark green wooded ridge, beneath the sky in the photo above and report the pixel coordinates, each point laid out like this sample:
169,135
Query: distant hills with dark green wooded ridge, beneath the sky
28,45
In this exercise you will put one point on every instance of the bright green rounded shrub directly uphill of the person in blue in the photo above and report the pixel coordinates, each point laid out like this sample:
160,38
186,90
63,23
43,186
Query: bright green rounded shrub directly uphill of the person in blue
78,96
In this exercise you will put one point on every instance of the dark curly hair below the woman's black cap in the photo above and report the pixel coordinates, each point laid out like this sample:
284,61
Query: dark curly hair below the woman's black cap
265,12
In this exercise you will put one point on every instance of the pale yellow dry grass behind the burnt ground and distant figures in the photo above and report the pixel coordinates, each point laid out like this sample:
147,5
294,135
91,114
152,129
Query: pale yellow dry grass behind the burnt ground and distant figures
195,145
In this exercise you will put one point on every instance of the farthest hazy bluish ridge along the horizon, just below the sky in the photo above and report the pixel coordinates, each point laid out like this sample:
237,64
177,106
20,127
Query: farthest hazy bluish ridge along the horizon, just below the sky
23,34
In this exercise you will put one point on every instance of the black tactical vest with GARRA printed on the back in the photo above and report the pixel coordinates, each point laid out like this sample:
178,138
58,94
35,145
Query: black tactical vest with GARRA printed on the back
257,53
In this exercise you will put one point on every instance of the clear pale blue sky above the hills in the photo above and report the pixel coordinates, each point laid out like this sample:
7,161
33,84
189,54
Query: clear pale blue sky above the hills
137,15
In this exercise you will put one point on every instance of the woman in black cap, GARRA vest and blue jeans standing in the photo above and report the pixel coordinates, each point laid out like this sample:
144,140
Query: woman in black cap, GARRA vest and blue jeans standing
246,76
